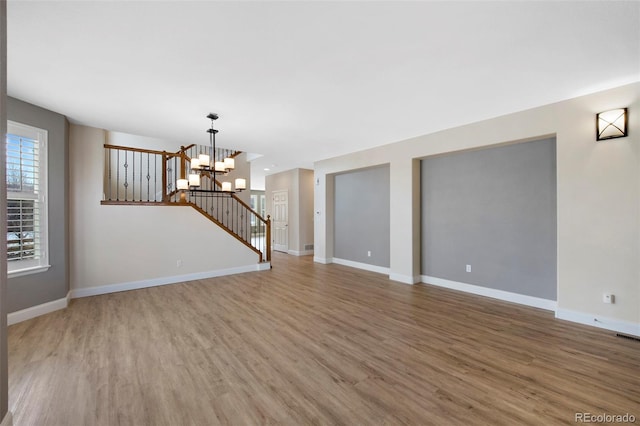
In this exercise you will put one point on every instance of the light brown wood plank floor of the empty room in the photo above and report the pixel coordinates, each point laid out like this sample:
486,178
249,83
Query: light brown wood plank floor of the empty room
307,343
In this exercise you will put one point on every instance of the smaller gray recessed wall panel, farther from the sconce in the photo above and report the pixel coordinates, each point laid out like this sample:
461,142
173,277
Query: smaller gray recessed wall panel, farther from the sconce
362,216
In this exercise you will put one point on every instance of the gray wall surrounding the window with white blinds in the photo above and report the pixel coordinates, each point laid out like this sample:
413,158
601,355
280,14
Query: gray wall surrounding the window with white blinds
35,289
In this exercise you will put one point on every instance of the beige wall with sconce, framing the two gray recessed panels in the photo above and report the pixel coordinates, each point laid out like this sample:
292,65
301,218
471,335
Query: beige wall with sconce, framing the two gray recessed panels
598,200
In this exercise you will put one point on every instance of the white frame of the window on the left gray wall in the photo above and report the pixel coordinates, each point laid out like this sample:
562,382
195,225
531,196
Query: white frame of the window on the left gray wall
17,268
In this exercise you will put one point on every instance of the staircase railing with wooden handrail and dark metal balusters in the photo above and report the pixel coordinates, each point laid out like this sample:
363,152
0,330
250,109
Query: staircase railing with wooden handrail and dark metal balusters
143,177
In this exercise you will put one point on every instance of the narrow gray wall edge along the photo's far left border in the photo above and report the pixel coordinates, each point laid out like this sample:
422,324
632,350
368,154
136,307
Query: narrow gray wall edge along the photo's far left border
4,375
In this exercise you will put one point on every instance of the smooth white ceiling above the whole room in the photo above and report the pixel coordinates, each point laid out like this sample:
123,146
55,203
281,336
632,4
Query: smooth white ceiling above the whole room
297,82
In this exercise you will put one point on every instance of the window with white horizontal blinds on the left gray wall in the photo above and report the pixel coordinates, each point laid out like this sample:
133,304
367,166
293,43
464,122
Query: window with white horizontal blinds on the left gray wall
26,174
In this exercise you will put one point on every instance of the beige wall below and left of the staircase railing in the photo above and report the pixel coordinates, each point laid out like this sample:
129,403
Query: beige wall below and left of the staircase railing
123,244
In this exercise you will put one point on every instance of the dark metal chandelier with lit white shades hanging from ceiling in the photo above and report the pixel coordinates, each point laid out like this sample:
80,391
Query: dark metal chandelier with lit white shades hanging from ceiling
207,164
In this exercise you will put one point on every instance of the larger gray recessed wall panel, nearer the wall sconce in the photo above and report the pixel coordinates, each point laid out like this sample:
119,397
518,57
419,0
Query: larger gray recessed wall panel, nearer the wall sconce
494,209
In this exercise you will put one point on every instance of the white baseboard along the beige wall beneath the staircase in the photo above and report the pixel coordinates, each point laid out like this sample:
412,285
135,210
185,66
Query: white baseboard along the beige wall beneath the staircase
136,285
